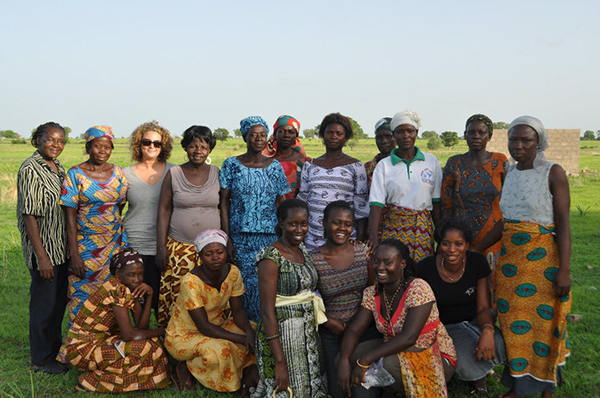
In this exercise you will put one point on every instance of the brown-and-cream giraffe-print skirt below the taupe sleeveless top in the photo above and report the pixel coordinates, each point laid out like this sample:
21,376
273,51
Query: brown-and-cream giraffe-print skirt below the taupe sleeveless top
181,259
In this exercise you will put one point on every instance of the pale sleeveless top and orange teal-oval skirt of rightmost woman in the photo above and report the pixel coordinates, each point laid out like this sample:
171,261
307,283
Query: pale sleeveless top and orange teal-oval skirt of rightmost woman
532,319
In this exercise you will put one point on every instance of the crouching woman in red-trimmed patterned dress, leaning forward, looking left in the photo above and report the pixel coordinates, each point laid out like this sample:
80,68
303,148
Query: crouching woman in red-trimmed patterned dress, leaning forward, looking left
417,350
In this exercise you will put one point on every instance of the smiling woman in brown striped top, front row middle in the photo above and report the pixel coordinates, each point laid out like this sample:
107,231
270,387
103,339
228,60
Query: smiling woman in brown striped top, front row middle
344,272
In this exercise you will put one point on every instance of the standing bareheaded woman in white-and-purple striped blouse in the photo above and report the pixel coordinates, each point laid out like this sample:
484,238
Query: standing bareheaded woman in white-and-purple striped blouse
334,176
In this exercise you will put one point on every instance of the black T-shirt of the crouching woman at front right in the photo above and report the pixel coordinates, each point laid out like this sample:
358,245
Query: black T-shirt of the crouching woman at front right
456,301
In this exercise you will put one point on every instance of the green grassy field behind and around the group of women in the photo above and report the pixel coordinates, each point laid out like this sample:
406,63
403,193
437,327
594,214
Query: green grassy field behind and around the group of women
582,373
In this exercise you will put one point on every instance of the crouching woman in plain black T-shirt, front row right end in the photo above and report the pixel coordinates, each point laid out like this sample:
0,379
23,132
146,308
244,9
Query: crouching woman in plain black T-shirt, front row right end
459,279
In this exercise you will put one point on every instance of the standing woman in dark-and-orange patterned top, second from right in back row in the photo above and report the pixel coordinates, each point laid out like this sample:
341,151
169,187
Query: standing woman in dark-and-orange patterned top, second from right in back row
472,183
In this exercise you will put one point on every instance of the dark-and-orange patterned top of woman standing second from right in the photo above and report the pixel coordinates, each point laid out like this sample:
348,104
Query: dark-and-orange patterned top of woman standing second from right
473,194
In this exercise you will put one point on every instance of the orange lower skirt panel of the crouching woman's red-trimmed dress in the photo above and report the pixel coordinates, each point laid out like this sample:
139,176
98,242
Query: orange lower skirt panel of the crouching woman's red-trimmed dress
423,373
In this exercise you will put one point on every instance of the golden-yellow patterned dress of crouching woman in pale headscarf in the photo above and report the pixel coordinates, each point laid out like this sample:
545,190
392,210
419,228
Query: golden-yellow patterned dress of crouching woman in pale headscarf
216,363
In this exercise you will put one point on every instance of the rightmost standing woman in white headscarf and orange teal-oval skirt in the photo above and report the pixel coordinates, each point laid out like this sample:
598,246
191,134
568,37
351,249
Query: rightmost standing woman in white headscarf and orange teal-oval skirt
534,283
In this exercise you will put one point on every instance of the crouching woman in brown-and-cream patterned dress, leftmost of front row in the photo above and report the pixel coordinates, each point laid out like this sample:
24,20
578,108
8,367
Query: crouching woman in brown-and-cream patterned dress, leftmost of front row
116,356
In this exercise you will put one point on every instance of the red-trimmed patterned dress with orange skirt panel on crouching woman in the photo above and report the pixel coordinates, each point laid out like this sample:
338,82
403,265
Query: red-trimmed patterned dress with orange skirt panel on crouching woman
422,372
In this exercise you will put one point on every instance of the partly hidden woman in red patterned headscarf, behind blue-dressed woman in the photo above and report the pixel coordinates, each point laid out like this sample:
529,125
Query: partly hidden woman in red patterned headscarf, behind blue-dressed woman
286,148
